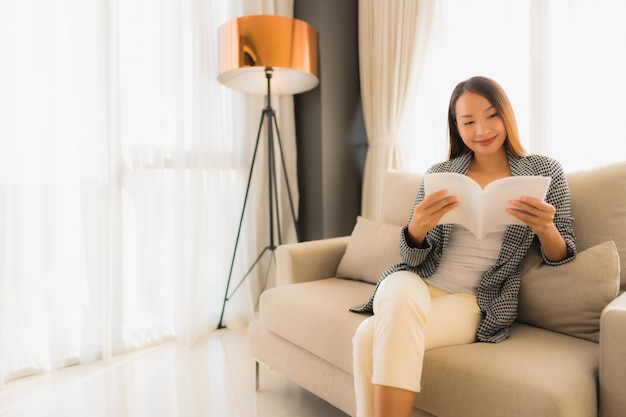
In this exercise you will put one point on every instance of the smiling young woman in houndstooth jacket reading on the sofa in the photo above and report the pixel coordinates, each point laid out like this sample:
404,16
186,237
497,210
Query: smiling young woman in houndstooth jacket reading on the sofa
452,288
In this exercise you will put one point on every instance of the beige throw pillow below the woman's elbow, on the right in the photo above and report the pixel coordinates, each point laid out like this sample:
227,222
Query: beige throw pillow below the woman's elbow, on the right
569,298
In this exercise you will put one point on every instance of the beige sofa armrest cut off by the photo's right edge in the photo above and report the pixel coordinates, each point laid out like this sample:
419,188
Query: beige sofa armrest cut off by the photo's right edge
613,358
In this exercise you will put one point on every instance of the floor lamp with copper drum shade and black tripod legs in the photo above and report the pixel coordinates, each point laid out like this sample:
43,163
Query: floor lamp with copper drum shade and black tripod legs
268,55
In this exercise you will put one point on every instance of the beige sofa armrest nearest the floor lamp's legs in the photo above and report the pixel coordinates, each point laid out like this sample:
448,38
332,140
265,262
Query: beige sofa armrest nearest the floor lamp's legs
309,261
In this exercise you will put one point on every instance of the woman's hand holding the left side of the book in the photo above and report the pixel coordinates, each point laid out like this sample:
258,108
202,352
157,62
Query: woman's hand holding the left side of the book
427,214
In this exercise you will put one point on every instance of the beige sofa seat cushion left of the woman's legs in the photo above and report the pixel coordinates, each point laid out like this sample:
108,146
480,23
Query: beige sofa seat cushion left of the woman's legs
314,315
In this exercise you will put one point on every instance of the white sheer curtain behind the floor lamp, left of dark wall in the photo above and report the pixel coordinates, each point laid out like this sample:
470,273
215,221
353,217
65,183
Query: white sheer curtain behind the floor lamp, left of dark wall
123,164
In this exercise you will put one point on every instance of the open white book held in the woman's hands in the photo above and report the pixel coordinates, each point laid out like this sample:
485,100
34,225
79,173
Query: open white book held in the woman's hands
480,210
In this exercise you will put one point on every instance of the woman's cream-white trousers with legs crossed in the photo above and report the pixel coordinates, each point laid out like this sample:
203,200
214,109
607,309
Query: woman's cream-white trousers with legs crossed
409,318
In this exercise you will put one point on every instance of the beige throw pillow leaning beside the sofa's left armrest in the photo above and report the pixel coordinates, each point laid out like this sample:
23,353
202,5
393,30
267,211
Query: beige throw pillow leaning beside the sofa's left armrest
372,248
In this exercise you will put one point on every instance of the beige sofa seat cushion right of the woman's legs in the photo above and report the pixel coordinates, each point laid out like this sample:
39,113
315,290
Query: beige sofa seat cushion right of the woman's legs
535,372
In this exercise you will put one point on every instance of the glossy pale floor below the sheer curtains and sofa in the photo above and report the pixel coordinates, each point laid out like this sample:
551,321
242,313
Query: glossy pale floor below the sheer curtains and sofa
215,378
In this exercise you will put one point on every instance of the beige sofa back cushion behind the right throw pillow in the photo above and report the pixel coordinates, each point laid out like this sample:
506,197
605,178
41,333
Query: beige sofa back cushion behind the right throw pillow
600,190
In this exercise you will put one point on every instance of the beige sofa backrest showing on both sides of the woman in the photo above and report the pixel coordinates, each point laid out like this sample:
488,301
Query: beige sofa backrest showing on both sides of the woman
598,205
